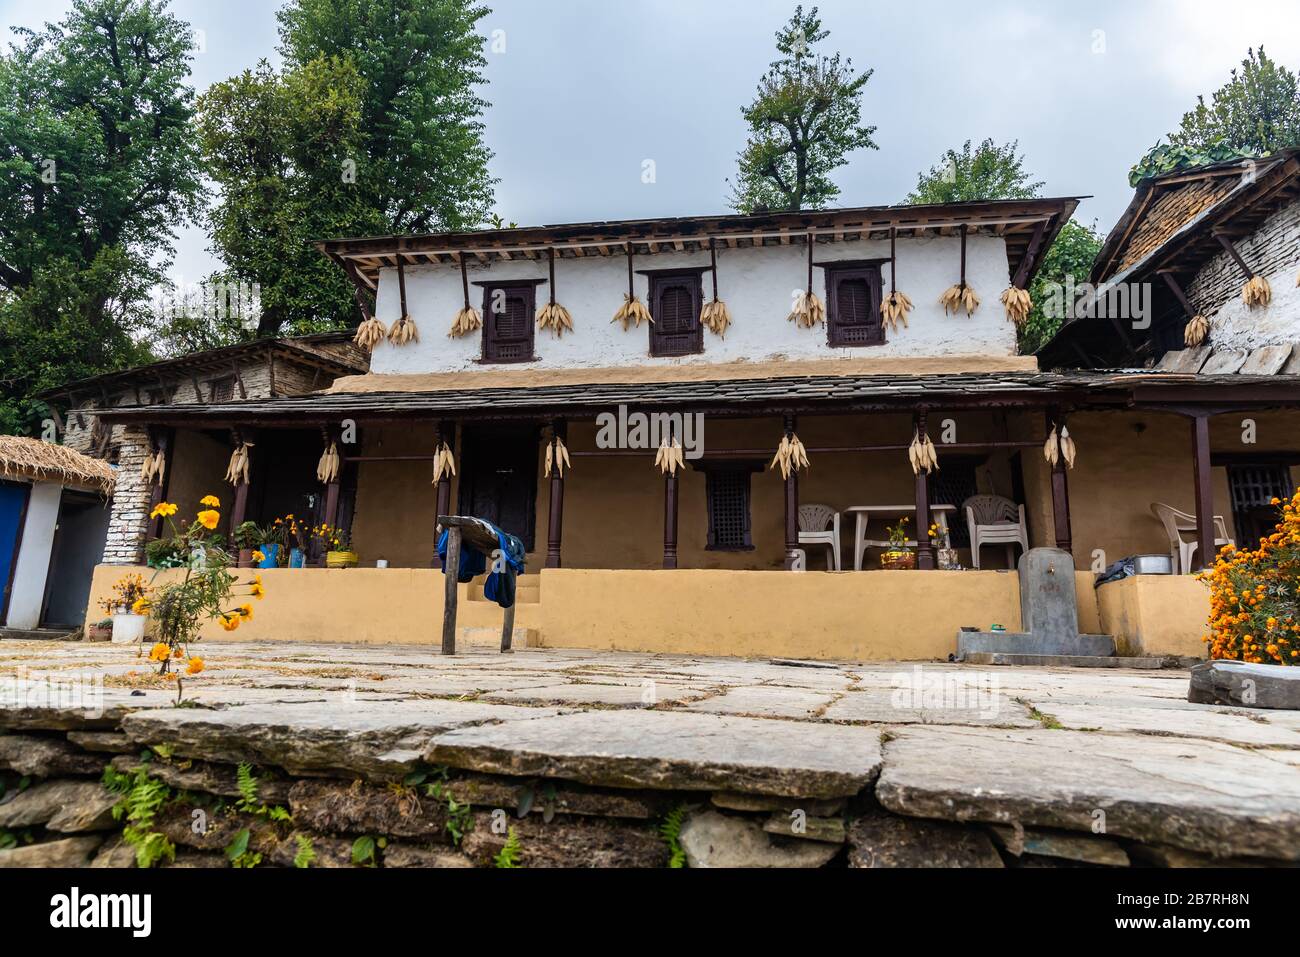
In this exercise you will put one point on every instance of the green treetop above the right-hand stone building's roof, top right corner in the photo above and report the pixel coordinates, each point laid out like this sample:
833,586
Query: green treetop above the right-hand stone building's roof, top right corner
1256,112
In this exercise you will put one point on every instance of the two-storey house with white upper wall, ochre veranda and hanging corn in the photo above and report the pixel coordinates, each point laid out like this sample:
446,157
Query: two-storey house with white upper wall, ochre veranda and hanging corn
696,560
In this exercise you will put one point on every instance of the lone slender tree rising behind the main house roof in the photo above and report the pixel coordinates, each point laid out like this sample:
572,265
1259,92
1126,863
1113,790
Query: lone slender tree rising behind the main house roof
805,120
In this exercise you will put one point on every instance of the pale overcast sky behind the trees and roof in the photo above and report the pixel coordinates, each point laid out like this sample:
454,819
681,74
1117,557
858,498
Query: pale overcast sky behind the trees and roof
587,90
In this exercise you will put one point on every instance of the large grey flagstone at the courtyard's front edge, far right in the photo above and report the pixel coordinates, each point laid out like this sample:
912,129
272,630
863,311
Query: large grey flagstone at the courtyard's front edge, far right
1204,796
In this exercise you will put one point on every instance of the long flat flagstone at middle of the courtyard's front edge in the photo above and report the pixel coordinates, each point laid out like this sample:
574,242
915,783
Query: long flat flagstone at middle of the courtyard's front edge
673,750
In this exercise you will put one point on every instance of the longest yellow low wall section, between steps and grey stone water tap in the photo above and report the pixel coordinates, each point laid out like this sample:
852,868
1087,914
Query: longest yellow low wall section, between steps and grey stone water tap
856,616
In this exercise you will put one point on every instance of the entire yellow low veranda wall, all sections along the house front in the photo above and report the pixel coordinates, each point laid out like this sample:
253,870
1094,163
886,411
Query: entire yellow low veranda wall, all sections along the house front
874,616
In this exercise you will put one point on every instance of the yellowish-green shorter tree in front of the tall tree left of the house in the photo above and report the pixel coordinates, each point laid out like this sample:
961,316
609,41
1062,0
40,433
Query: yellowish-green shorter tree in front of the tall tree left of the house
281,148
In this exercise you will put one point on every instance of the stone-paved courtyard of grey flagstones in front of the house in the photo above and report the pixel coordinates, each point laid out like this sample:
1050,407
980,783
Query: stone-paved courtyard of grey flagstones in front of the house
1024,748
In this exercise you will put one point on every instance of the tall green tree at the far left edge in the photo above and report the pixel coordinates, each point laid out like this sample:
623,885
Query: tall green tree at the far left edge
98,168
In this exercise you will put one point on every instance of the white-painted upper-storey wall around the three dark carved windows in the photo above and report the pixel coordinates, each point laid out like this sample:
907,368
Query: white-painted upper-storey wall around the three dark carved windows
757,284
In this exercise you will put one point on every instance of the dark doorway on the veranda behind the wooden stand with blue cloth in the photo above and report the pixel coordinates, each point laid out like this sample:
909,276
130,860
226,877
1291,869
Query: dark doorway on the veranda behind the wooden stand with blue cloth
499,479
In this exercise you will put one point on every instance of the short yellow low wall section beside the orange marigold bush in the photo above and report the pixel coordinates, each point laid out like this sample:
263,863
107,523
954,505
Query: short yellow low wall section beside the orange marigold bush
1156,614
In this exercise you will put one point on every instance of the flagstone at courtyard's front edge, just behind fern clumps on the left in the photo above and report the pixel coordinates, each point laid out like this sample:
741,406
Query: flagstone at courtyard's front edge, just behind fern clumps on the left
371,739
